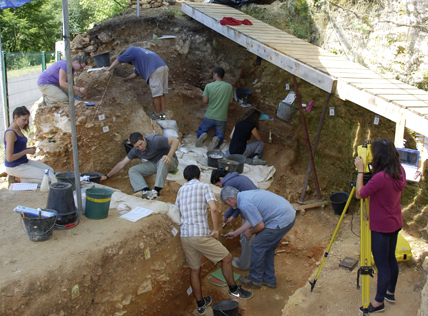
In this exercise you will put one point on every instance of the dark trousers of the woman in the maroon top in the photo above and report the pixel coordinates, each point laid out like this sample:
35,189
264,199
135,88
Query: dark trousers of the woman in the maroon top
383,249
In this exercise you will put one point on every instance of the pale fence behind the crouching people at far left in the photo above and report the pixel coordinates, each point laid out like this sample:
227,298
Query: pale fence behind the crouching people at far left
21,71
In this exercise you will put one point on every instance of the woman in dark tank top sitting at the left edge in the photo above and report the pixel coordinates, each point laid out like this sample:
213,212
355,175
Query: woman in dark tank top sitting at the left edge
16,162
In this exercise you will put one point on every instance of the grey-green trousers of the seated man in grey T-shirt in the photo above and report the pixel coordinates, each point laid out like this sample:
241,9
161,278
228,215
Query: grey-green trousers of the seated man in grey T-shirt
147,168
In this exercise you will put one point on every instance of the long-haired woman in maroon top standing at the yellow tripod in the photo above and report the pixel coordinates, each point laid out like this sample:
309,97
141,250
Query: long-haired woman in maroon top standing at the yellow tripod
384,189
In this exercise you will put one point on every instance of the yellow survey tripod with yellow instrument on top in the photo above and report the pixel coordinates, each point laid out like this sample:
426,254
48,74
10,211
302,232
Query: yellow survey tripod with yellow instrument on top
366,270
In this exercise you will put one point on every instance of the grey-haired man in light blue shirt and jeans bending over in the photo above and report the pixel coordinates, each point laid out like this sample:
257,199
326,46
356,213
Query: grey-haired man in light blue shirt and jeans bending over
270,217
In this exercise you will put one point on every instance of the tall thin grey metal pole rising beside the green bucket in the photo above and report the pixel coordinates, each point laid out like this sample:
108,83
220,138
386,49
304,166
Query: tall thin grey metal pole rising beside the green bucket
71,104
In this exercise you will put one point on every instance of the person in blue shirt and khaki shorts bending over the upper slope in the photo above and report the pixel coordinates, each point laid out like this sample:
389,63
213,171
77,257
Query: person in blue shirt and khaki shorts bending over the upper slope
149,66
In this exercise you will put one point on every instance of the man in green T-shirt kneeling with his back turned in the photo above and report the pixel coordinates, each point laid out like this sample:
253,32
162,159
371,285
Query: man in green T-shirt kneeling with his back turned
218,95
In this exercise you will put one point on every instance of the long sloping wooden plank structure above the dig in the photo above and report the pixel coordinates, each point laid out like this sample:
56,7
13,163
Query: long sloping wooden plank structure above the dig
378,93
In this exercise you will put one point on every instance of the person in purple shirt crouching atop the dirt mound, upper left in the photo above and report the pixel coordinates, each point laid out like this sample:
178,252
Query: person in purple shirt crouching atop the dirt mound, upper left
53,81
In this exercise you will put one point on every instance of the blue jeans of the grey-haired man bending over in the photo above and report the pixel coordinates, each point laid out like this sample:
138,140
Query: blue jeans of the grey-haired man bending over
263,253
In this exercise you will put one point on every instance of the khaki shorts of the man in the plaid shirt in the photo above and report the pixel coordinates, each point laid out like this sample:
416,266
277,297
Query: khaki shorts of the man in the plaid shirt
209,247
